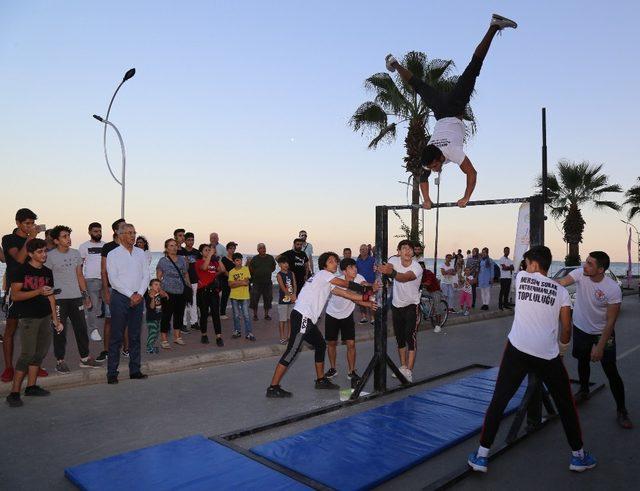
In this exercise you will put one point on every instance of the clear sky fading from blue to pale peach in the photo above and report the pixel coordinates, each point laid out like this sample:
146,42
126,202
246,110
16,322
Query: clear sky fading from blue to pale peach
237,118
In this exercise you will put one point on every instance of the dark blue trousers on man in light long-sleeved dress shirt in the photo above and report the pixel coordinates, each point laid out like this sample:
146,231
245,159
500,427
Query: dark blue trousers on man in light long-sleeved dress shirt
123,316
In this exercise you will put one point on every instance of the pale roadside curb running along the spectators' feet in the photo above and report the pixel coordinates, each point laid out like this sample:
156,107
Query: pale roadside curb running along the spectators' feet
89,376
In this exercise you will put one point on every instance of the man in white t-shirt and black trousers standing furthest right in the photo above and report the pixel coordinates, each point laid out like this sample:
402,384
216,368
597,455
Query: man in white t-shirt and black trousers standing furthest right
596,309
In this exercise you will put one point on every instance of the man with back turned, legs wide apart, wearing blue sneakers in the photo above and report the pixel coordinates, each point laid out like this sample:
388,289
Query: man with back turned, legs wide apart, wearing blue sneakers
533,346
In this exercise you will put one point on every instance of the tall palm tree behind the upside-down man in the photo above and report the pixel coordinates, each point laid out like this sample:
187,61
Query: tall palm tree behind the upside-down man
396,103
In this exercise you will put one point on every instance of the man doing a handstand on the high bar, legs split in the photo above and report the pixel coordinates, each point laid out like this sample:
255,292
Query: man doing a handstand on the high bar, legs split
447,141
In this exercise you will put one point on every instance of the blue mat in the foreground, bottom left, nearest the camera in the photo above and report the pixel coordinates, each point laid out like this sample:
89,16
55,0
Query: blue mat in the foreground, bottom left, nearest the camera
193,463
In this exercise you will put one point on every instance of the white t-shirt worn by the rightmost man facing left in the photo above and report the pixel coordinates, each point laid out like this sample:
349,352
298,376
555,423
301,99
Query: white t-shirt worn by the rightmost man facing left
592,300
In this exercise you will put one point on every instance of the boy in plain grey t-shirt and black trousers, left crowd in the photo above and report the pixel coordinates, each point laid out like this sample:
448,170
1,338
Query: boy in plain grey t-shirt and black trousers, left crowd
66,265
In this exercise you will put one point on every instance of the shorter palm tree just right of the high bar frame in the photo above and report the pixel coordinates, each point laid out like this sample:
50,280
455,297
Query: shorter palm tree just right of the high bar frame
574,186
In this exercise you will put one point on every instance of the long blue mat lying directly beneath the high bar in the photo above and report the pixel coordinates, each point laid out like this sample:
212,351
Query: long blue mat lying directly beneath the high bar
366,449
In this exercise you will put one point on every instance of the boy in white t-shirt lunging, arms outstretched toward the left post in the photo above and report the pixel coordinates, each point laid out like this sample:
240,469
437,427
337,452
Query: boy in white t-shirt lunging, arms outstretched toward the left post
308,308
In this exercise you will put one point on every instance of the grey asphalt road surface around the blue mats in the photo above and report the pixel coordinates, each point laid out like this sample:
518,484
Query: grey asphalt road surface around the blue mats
81,424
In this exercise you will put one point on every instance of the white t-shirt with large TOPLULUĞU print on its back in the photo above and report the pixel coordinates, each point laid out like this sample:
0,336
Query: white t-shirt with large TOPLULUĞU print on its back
535,324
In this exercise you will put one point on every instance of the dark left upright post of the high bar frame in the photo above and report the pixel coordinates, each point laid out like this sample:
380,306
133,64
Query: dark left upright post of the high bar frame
380,330
